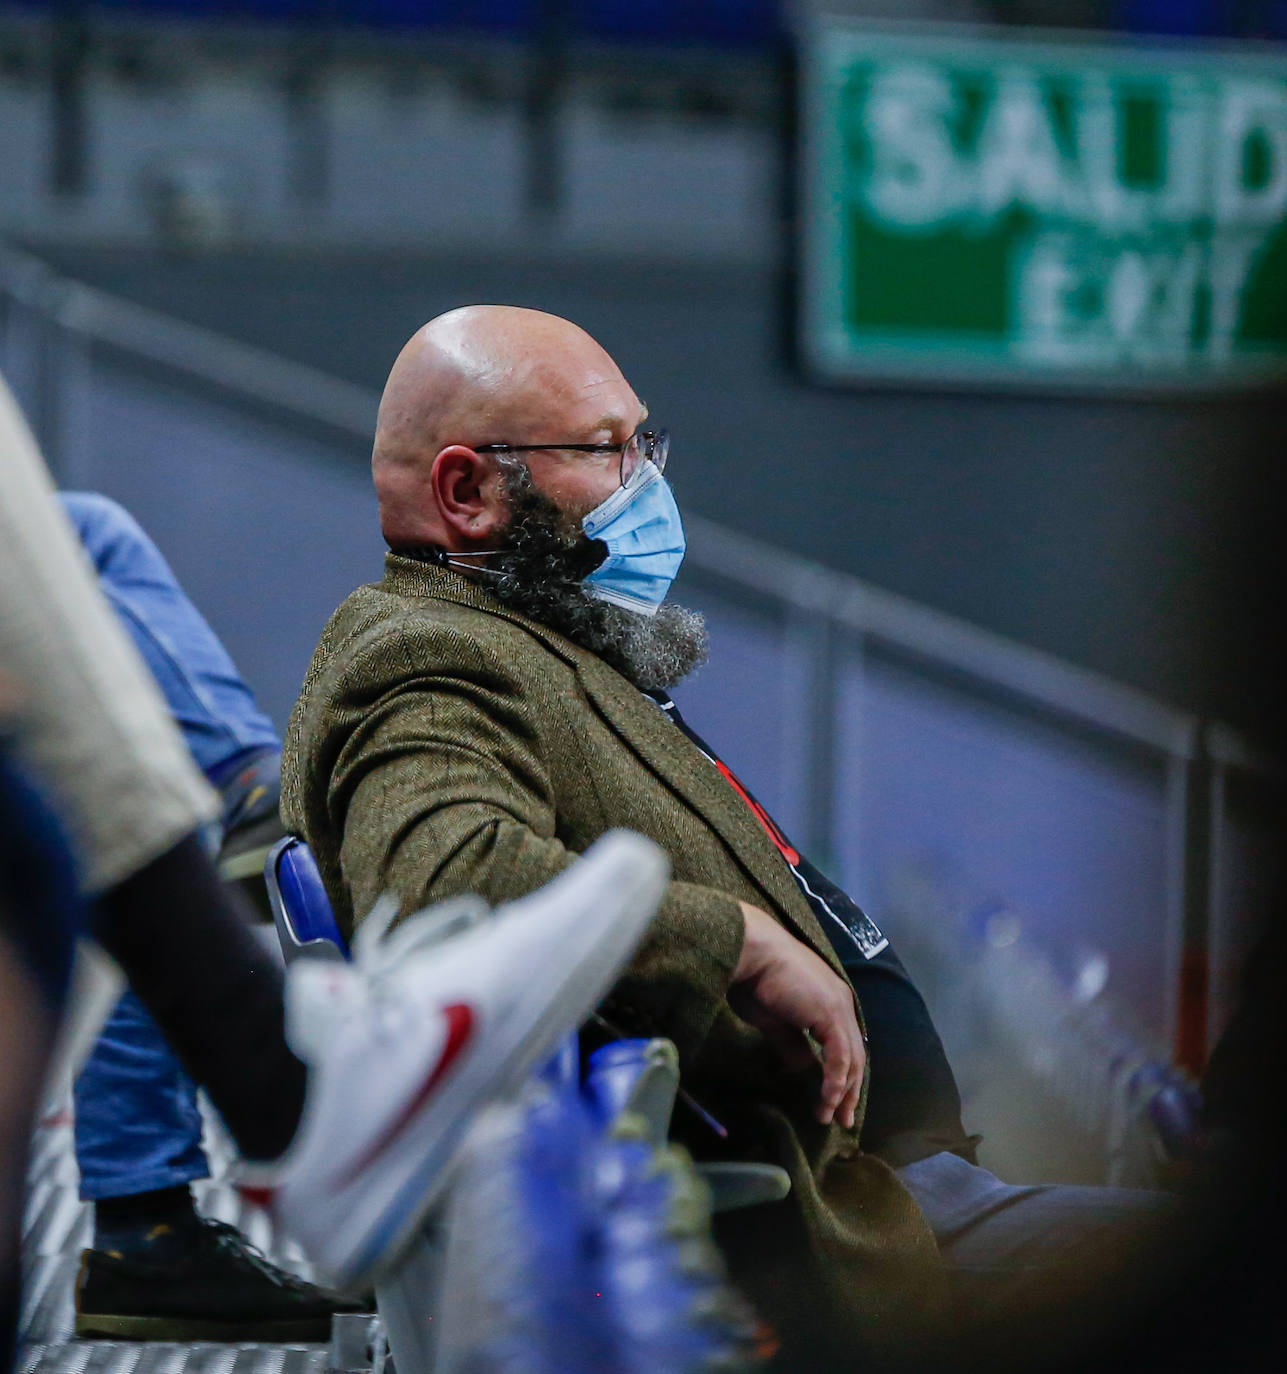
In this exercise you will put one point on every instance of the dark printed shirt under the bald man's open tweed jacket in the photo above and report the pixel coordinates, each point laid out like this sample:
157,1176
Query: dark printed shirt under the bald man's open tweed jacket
914,1104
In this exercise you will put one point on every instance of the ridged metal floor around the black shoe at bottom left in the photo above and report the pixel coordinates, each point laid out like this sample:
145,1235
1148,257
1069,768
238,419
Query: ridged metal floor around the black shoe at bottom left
57,1226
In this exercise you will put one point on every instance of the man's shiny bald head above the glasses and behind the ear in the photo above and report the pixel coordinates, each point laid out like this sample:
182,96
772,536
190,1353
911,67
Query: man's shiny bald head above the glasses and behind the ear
487,374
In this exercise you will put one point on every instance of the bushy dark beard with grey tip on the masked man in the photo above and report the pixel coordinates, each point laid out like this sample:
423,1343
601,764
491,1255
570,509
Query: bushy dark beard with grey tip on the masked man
545,554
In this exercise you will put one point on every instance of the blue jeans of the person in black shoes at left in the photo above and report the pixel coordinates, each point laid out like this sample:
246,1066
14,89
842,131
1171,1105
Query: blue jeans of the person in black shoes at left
137,1122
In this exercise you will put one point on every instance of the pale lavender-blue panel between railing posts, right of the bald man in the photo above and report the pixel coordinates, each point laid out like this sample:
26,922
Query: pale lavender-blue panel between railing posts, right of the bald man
1069,835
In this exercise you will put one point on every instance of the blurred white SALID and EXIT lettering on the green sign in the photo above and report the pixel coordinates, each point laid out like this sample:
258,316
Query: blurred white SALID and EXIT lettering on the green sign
1115,269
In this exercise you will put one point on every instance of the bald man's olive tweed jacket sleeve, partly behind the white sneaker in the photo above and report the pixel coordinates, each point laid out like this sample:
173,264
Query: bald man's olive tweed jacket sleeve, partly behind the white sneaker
440,789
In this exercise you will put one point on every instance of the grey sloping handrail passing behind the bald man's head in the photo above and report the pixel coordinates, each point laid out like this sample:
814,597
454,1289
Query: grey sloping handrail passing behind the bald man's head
896,622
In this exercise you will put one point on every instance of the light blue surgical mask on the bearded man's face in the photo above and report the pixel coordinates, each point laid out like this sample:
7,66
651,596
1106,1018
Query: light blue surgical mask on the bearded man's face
641,526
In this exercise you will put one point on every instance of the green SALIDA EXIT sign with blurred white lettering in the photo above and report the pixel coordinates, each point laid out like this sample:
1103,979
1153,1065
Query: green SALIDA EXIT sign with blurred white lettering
992,210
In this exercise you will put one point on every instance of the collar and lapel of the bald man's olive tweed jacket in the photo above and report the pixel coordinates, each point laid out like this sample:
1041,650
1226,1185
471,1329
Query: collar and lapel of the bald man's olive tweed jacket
643,728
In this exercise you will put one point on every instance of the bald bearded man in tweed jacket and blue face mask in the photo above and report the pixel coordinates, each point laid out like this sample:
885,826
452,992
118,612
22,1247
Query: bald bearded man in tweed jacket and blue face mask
499,700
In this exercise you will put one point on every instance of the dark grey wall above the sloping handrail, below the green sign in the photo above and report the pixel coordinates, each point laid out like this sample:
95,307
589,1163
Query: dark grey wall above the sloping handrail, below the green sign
1137,538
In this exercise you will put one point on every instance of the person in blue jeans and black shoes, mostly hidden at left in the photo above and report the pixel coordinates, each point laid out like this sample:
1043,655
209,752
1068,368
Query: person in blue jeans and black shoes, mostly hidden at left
157,1270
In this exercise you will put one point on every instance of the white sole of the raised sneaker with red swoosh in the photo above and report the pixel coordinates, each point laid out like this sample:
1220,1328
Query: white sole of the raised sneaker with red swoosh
535,1030
